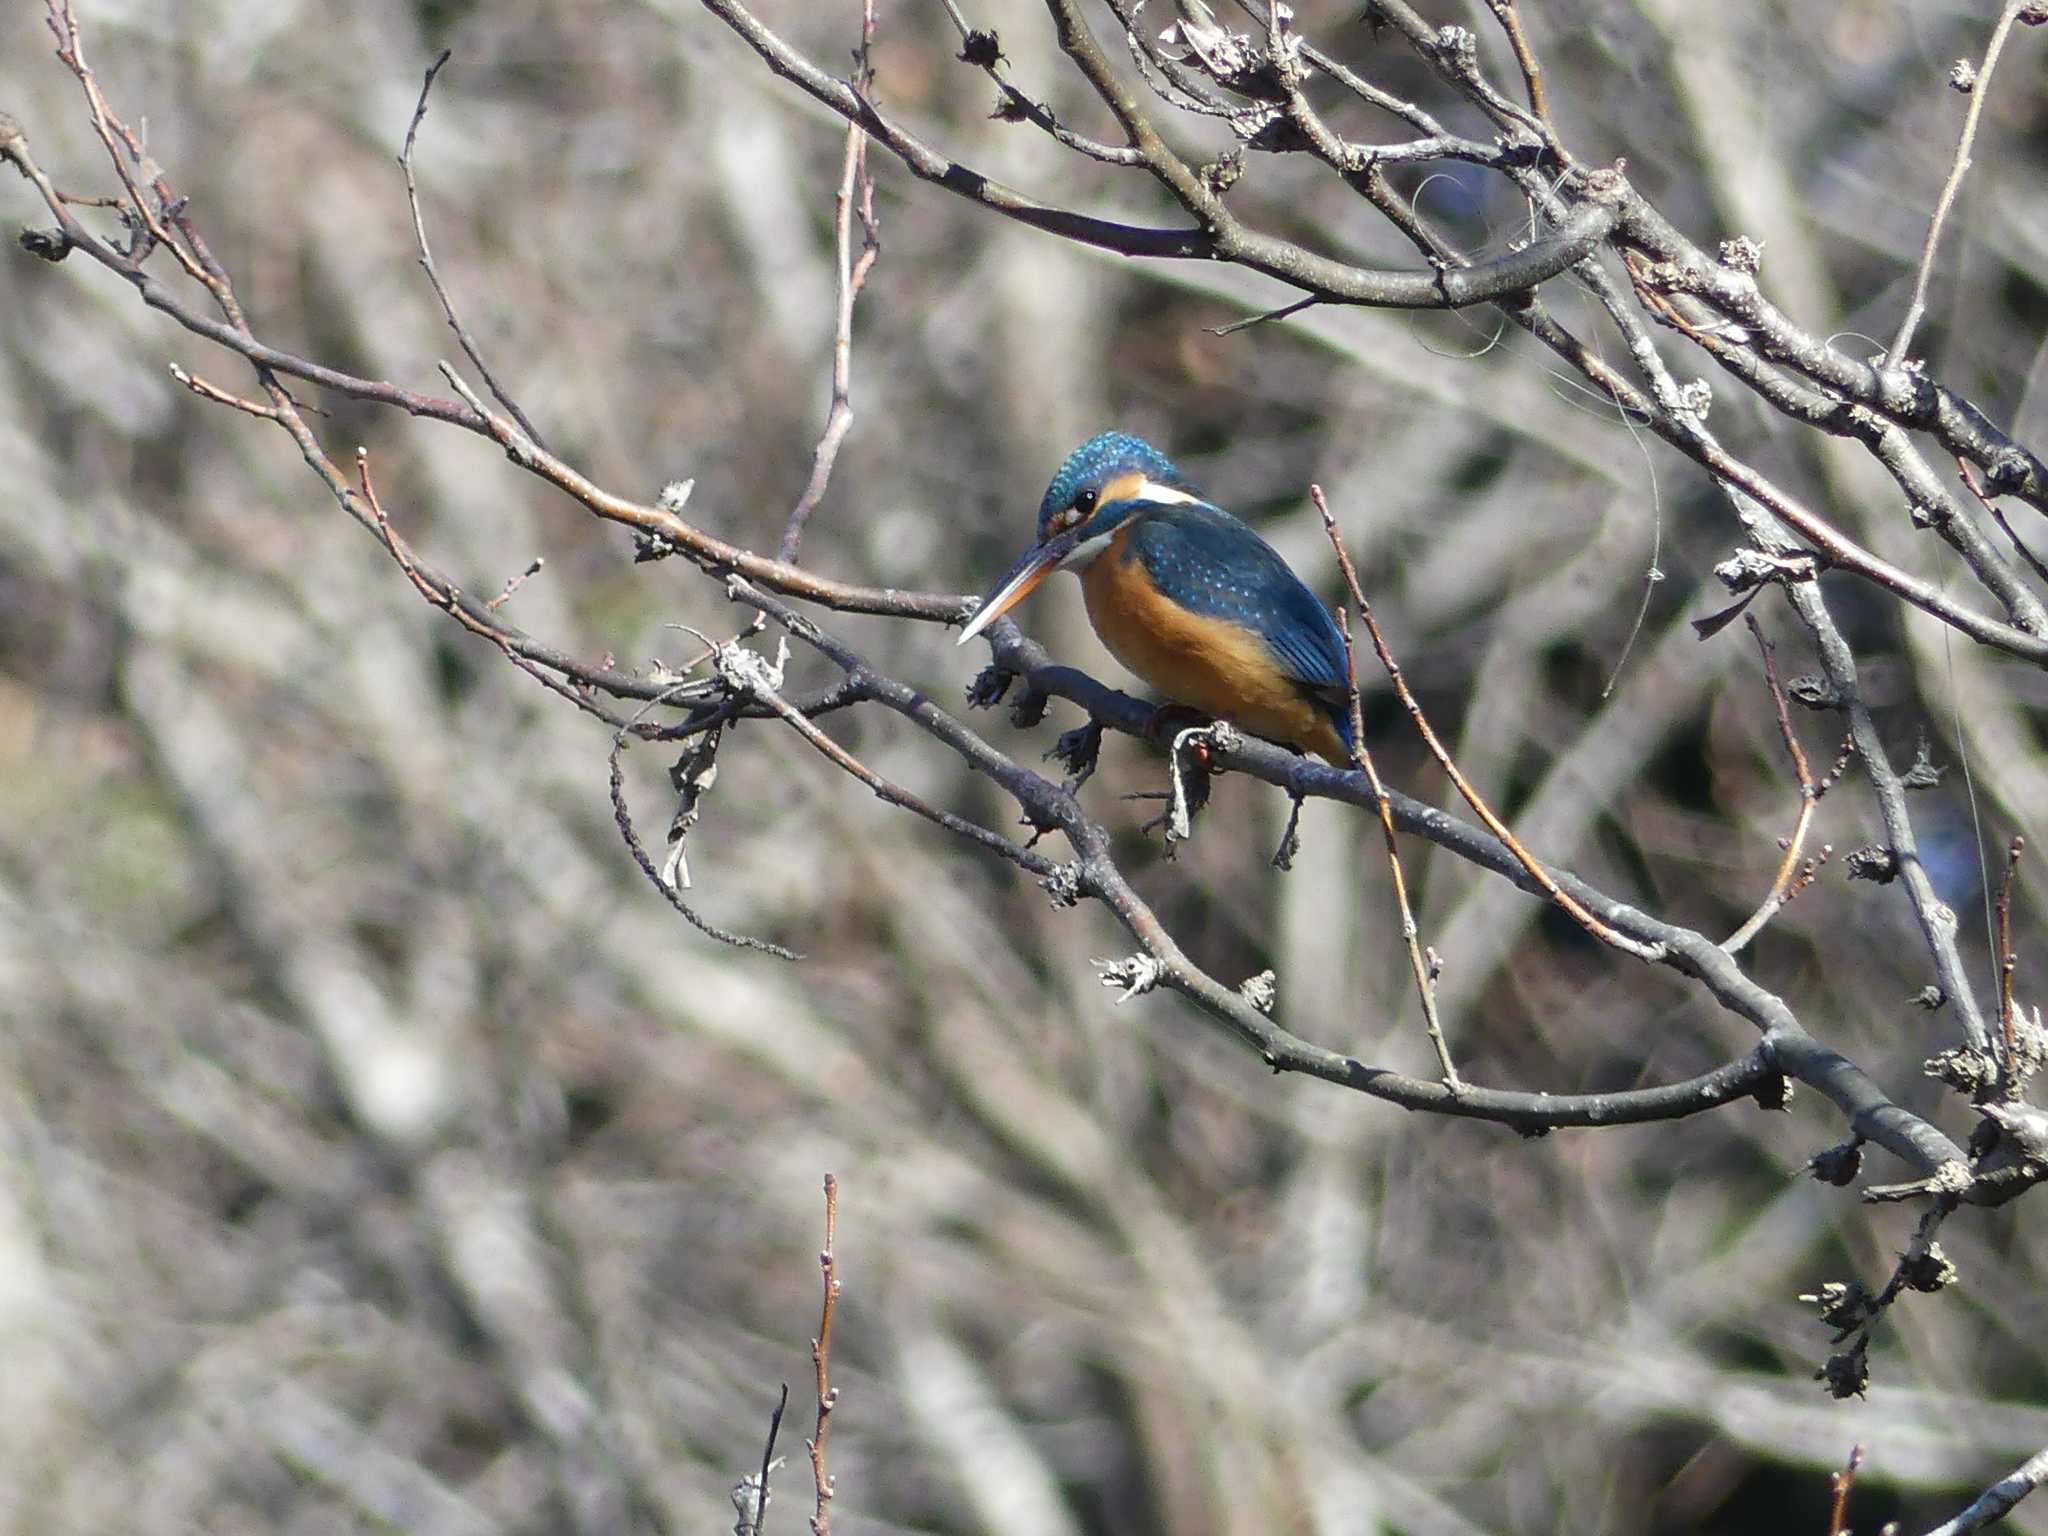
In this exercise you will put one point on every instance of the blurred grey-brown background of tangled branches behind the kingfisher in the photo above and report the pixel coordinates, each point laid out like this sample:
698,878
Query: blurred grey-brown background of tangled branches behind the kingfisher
382,1154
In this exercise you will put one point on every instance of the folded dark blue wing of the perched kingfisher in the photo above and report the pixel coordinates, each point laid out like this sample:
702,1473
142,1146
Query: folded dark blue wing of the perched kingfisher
1220,568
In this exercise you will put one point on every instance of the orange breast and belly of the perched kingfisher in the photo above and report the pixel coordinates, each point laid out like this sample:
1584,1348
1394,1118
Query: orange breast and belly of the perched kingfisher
1195,660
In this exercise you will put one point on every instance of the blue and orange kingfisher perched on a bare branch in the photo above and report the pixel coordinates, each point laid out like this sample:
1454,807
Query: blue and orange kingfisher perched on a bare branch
1187,597
